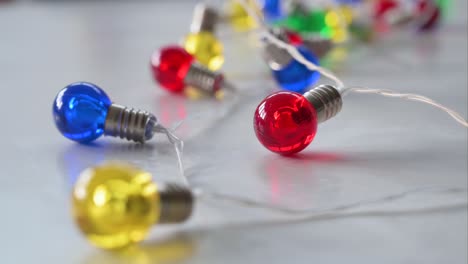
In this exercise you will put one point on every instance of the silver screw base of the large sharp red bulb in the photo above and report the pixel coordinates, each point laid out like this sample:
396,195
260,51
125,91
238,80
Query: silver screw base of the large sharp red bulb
326,100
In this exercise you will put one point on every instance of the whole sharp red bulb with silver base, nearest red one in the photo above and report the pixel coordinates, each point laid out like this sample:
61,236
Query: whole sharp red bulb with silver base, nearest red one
286,122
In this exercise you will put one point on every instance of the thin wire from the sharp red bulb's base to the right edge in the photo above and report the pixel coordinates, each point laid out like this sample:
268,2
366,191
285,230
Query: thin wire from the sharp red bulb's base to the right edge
410,97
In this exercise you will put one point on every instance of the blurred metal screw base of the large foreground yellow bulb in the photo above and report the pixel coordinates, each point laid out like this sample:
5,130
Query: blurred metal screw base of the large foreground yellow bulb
176,203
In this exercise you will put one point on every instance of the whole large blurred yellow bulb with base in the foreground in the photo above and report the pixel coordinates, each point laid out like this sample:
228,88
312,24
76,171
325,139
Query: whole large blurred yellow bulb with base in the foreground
115,205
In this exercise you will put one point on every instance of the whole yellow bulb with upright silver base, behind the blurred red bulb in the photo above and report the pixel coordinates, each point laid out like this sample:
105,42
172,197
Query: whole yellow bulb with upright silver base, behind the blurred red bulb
201,42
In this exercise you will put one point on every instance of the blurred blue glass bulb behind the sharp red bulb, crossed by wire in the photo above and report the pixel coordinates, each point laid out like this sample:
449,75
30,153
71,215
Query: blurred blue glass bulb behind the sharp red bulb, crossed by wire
295,76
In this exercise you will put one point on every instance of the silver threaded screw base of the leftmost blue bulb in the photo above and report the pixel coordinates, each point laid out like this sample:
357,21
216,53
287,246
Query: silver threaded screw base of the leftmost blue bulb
129,123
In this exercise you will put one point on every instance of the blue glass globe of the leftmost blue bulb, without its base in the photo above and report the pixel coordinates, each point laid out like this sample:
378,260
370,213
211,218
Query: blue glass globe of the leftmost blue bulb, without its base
80,111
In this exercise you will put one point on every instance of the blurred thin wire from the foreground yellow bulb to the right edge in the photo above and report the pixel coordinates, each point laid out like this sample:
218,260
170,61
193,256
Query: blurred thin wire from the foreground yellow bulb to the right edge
251,203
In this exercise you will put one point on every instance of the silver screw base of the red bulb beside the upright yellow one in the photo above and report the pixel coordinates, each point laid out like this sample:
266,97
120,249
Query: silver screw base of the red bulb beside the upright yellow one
204,79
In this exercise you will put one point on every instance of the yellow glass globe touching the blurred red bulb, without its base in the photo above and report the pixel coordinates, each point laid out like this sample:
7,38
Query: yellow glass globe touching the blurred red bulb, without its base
206,49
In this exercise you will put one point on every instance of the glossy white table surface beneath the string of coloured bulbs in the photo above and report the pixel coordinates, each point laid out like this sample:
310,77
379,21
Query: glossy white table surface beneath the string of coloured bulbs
376,146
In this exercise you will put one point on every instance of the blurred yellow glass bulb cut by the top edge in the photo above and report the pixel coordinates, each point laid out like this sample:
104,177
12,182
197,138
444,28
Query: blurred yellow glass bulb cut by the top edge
240,18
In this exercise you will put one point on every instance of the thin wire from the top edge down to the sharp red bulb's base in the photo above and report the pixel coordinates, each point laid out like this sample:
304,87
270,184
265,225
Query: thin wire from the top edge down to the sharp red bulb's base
289,48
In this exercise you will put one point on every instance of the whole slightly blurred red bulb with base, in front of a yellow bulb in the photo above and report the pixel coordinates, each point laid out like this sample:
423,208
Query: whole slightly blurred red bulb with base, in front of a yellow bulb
174,69
